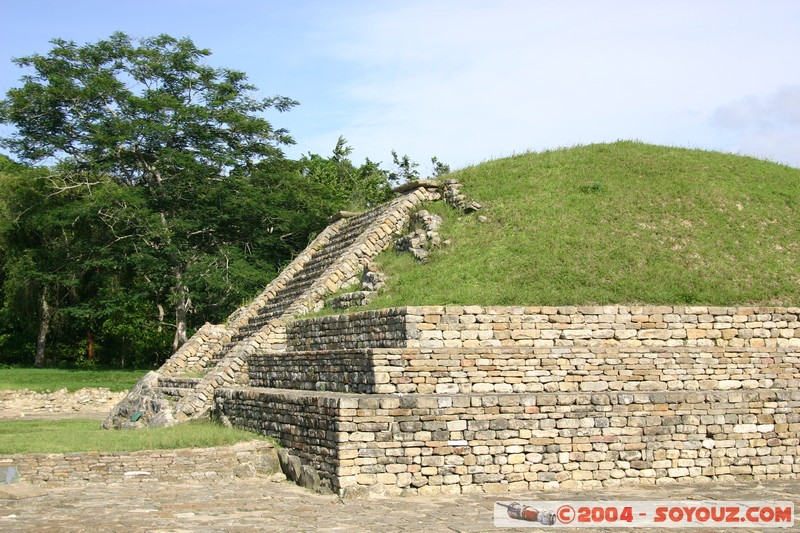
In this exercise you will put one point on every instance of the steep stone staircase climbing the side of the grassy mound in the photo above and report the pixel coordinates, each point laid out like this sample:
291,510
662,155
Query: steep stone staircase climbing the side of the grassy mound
220,353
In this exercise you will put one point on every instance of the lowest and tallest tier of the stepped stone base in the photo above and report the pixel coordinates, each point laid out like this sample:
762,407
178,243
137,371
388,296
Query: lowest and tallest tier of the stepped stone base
431,444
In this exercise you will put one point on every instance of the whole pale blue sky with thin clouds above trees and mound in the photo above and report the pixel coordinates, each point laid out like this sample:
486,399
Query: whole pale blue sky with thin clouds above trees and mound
469,81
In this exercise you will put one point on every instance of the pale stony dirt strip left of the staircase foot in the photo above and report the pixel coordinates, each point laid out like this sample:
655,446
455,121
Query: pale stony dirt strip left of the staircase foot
83,403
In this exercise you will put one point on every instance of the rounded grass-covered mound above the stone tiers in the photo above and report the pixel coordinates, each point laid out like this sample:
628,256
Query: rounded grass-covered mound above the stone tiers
619,223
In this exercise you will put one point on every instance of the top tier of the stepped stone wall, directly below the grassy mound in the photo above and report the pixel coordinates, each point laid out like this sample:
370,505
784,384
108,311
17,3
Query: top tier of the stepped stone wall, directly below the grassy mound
546,327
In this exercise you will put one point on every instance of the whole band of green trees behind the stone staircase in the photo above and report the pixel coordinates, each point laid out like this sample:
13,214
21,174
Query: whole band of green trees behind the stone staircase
149,195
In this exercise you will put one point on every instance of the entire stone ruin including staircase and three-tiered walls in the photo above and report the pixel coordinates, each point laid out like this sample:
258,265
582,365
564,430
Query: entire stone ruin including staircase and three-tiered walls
453,399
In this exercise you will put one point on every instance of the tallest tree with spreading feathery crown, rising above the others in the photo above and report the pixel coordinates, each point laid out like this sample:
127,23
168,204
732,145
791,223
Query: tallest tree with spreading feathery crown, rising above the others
150,117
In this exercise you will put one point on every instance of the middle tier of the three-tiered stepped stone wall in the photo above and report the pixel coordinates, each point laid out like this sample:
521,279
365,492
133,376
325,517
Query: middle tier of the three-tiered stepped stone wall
525,369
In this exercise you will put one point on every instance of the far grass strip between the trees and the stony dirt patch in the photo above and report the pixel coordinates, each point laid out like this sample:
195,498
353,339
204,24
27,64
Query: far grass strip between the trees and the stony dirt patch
42,379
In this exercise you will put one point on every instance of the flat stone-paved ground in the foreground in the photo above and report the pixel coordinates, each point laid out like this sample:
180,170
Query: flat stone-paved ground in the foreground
256,504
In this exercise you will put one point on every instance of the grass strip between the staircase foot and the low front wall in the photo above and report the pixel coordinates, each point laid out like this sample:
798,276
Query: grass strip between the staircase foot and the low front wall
66,436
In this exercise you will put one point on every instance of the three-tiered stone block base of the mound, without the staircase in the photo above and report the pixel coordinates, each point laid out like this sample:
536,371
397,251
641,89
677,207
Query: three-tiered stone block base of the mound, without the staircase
468,398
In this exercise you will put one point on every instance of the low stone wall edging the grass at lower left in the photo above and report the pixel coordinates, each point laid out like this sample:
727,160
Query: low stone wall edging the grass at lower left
222,463
